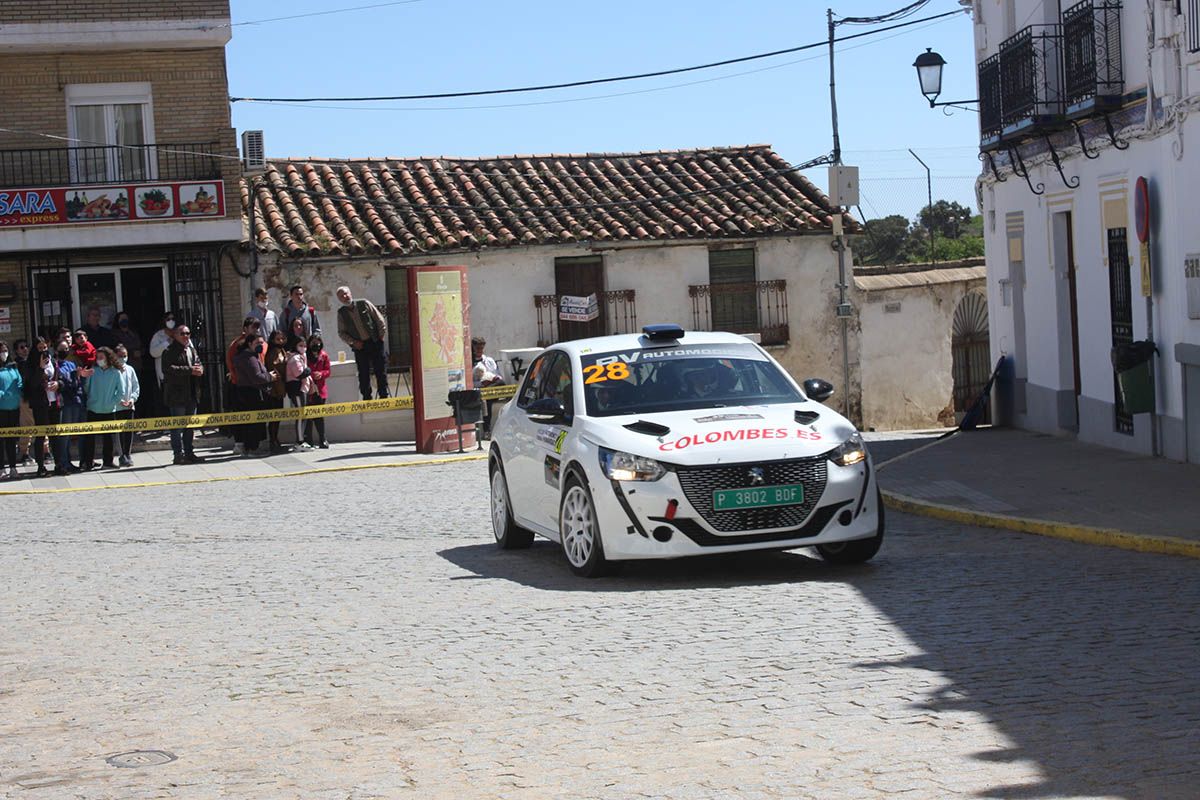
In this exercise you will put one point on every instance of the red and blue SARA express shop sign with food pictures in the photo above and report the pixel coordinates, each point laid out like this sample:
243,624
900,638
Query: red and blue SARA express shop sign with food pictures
118,203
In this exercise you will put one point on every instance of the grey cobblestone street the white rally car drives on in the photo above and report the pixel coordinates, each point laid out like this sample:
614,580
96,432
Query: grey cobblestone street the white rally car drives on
359,636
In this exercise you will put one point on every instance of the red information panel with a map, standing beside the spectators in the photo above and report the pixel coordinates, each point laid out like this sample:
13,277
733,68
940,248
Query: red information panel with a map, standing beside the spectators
441,351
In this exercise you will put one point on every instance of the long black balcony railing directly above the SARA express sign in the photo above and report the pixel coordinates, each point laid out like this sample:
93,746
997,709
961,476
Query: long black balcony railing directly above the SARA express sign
110,165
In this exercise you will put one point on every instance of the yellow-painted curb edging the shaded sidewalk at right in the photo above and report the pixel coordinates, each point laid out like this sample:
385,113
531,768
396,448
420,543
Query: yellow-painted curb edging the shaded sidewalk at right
1083,534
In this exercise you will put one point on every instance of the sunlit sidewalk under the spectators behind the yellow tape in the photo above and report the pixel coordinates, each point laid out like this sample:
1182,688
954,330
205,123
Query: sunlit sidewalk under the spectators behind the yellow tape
154,467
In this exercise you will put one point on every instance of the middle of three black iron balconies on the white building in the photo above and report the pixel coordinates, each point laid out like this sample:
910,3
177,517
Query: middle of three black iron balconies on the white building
1031,77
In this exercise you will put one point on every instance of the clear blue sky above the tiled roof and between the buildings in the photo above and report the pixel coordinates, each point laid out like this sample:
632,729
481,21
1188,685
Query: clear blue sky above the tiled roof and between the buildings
434,46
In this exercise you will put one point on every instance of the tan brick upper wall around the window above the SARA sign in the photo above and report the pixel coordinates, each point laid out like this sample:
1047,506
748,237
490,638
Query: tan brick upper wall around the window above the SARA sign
190,97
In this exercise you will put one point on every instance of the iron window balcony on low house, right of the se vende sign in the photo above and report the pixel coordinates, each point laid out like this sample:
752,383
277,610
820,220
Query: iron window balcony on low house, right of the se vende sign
759,308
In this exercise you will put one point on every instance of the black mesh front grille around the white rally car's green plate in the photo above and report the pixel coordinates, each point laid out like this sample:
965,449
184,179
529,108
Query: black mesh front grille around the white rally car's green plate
700,483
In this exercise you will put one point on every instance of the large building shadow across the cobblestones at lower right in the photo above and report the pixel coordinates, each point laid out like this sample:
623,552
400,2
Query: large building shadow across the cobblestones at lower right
1084,658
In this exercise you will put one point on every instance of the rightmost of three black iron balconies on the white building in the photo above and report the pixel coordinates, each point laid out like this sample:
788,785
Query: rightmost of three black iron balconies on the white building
1091,44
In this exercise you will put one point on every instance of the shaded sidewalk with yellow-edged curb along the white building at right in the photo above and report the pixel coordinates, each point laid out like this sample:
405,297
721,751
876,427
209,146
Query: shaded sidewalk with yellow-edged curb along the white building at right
1043,485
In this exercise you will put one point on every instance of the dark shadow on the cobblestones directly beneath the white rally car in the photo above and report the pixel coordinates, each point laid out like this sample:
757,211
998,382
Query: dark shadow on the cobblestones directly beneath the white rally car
544,567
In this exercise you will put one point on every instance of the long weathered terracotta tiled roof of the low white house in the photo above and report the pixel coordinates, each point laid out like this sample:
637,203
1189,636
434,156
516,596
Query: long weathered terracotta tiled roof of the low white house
320,207
